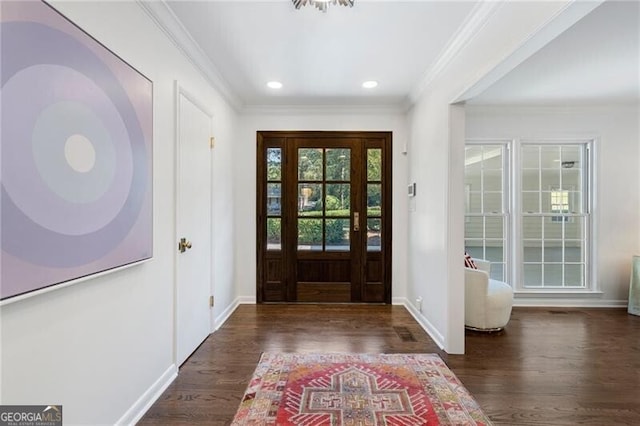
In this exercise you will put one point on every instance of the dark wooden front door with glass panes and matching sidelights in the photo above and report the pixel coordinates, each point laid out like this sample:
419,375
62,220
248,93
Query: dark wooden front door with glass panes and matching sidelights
324,217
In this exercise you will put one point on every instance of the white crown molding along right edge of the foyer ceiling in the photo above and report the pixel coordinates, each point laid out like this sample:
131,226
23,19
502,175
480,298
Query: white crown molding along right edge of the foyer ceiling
477,18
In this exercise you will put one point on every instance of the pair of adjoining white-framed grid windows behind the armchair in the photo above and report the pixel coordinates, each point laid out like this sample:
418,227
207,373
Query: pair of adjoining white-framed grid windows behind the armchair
550,232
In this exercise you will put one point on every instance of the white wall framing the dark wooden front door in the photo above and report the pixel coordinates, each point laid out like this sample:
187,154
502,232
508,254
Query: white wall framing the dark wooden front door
314,119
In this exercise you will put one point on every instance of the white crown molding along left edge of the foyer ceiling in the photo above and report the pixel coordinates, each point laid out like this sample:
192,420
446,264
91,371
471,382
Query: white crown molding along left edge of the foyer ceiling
168,22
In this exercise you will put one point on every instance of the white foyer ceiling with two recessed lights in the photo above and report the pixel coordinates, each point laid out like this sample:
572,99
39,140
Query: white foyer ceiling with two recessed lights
322,58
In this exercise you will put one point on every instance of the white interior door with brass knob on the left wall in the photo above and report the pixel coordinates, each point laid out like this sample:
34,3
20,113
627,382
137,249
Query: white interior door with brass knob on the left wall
193,223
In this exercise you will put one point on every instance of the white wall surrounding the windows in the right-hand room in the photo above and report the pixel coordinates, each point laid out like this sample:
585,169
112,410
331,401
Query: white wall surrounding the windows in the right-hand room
617,198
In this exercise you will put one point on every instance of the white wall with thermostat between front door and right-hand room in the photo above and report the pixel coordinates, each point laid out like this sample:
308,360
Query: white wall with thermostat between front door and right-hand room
436,157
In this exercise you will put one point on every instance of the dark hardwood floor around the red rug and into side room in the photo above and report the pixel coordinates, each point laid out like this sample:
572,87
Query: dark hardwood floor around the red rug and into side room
549,367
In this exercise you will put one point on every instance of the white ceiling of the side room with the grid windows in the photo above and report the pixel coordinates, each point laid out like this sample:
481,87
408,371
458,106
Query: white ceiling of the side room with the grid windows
597,60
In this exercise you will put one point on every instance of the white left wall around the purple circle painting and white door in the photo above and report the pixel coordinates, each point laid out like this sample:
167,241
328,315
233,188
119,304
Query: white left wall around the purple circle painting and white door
99,346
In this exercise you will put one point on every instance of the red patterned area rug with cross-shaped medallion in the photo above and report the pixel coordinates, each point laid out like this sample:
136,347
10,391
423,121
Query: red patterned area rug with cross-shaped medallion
356,390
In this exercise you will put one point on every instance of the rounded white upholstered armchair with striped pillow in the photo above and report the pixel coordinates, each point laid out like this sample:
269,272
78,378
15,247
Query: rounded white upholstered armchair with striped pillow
487,302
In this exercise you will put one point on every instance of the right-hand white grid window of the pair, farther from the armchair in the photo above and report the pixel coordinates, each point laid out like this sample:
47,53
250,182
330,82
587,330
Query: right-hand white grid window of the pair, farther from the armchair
555,217
